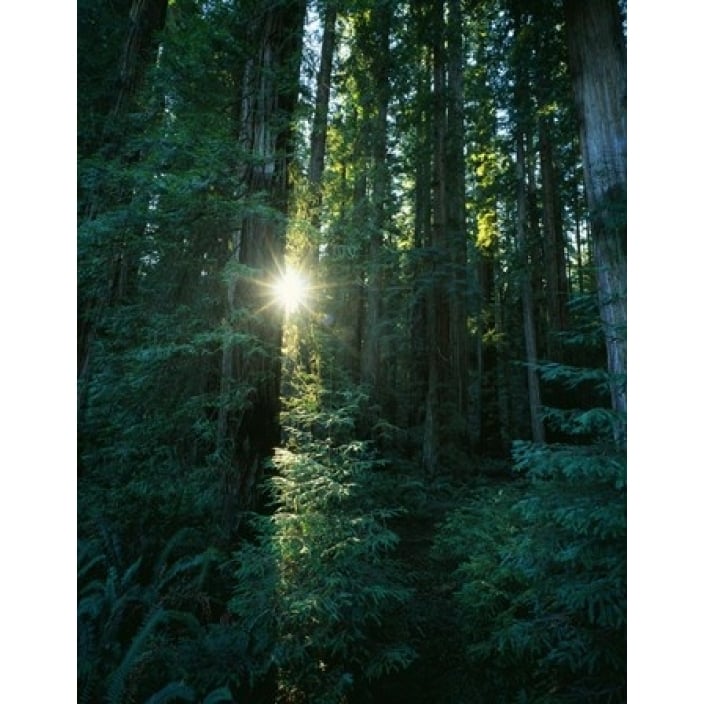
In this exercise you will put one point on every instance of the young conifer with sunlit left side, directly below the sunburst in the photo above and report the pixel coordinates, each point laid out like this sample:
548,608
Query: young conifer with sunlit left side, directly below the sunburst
318,592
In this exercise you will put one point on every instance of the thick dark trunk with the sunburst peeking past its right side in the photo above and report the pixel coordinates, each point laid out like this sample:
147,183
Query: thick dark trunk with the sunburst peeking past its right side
271,89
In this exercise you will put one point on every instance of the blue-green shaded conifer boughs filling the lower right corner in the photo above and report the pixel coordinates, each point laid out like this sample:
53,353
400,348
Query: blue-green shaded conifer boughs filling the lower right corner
541,567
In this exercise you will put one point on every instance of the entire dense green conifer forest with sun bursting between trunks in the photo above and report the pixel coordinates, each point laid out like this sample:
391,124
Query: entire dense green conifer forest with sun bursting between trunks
351,355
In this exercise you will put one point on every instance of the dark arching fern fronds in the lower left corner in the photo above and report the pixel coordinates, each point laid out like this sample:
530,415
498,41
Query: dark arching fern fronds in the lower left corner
136,623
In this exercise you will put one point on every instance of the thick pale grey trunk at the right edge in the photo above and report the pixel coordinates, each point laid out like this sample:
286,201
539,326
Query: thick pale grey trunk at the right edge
598,65
